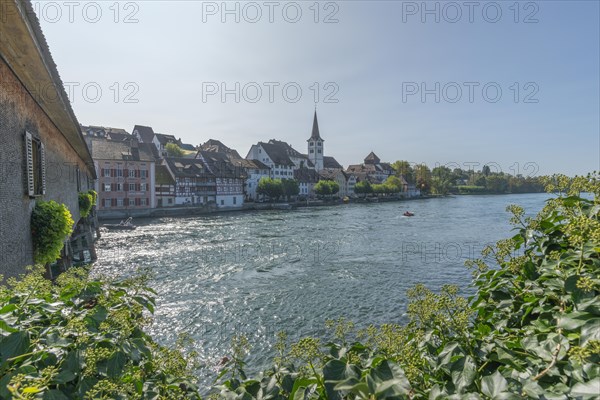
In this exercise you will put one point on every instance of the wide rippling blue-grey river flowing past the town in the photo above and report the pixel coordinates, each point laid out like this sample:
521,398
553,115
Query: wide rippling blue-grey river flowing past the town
257,273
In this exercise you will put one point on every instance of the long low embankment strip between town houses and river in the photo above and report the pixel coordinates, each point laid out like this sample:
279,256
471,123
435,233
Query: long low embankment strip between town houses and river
184,211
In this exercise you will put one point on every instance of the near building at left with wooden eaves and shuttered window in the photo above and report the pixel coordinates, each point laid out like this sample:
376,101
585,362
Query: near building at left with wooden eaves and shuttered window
43,154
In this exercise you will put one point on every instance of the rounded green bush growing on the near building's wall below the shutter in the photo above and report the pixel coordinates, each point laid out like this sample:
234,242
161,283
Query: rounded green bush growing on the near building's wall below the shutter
51,223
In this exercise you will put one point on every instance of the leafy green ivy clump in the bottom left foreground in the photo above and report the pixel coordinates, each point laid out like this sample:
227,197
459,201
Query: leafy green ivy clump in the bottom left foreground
82,338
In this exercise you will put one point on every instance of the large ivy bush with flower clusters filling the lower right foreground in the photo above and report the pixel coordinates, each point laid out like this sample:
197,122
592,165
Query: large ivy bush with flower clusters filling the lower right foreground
532,329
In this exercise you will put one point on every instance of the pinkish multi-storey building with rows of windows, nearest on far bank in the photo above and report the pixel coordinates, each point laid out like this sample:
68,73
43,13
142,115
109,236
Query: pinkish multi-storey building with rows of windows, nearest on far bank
126,174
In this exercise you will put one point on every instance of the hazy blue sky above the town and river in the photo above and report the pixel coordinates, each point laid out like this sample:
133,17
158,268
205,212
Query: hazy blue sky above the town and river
514,85
